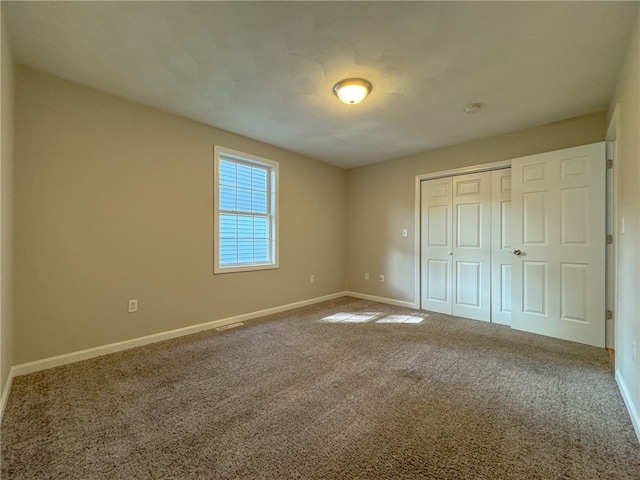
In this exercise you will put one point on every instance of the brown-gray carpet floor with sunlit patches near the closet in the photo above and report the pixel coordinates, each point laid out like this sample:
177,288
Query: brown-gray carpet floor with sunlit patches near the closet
345,389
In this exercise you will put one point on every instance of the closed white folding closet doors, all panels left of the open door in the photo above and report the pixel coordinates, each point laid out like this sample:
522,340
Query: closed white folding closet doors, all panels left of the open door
465,247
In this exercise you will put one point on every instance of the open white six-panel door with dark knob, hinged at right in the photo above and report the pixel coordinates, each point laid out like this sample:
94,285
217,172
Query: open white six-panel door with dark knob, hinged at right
559,237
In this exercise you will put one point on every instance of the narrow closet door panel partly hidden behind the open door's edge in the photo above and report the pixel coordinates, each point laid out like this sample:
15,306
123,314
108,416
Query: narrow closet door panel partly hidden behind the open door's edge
501,246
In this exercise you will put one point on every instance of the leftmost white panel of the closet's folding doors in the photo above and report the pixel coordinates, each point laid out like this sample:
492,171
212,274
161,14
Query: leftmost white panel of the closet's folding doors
437,245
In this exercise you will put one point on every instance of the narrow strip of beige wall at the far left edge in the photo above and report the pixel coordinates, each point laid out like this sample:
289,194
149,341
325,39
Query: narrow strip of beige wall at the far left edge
6,213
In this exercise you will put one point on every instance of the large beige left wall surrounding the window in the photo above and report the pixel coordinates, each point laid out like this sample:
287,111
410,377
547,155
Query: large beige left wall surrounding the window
114,201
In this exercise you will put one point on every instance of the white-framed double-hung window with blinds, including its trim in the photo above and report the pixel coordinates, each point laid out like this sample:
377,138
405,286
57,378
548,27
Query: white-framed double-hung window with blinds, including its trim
245,208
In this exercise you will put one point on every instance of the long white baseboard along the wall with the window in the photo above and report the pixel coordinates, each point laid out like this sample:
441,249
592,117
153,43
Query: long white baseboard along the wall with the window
46,363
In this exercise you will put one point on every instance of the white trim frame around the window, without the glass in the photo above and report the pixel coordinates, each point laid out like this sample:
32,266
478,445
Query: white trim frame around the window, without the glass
274,207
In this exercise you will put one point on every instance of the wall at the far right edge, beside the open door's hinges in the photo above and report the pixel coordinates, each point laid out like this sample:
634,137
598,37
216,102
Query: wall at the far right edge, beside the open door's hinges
626,109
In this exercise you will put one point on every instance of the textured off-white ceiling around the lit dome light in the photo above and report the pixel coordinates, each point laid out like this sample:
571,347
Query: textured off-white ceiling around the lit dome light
266,69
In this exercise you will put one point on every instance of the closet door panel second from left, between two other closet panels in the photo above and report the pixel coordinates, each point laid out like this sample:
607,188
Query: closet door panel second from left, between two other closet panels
472,246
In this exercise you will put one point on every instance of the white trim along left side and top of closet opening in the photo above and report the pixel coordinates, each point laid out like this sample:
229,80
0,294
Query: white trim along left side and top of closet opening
485,167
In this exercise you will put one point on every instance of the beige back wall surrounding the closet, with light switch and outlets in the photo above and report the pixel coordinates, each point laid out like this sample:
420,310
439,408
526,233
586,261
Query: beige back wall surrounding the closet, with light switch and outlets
381,200
